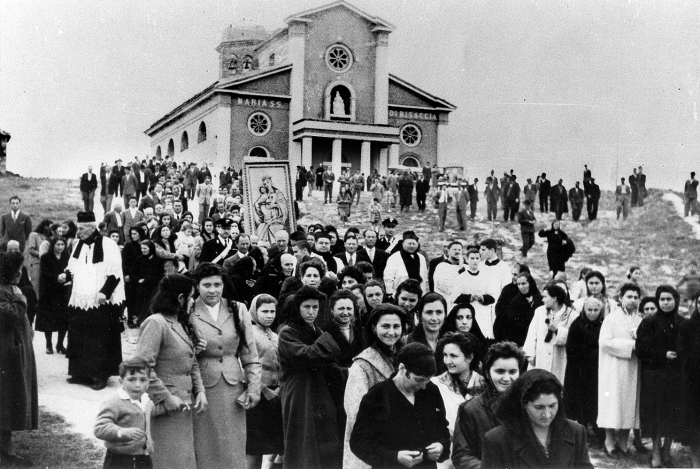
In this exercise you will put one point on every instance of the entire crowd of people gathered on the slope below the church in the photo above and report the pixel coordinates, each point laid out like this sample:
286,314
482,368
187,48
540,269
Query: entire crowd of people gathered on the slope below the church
355,351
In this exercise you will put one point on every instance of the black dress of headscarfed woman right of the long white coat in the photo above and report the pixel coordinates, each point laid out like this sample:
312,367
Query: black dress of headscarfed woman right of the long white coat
660,408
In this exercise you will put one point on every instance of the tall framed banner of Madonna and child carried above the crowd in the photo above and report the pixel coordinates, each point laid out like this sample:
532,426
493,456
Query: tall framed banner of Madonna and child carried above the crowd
269,198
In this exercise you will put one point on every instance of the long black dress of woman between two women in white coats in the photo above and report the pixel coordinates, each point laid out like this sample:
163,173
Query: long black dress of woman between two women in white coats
581,376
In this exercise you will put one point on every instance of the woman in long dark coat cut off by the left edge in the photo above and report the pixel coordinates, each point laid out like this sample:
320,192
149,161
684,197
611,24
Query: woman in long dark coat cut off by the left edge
19,408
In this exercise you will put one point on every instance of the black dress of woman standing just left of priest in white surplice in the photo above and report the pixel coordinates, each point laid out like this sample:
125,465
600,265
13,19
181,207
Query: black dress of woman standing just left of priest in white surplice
52,313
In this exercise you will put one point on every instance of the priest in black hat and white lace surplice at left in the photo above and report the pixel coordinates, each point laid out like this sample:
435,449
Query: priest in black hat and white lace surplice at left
95,306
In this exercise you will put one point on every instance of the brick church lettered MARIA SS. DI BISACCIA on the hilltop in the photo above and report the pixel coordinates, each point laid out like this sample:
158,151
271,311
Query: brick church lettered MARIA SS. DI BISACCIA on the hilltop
317,91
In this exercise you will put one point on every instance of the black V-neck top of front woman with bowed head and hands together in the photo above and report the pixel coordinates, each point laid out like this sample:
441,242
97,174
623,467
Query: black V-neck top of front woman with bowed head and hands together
387,423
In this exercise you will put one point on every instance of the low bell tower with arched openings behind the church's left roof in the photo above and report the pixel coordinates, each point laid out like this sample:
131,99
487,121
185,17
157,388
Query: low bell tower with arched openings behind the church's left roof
237,50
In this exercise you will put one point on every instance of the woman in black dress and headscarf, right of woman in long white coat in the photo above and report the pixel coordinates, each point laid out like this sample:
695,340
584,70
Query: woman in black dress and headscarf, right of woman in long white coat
660,410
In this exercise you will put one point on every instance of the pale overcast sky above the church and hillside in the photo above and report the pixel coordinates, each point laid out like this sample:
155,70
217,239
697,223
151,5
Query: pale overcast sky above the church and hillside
538,85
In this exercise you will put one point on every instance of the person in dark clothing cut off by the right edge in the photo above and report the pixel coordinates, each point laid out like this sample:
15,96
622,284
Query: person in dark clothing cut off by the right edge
689,357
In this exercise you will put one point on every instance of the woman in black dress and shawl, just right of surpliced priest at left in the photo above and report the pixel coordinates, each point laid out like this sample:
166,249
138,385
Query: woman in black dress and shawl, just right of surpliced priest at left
146,273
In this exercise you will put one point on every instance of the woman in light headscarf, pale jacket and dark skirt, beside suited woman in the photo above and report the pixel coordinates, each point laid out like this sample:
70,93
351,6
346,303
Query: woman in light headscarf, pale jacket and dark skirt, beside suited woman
264,431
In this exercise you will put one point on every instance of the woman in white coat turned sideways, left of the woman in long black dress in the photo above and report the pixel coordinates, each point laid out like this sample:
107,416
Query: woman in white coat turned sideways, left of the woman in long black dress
545,345
